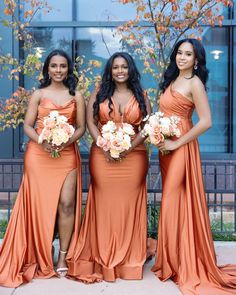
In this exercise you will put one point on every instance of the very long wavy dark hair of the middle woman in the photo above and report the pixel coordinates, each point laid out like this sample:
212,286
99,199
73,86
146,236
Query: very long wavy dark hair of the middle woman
107,86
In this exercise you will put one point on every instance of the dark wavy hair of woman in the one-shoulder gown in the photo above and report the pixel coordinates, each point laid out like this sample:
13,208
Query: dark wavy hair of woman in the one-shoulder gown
172,71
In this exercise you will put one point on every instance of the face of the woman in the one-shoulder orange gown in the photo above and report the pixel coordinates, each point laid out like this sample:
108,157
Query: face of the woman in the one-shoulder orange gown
185,57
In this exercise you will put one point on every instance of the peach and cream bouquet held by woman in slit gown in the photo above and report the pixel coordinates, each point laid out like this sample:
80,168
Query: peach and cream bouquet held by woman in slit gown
56,131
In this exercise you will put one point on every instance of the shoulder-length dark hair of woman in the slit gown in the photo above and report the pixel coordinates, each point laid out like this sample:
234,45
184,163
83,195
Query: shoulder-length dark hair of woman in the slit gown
71,80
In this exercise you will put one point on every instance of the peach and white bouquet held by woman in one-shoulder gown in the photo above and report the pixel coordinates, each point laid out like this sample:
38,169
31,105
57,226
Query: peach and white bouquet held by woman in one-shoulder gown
159,128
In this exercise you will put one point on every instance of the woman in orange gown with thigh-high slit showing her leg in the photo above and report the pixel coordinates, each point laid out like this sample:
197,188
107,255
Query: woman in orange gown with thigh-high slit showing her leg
51,187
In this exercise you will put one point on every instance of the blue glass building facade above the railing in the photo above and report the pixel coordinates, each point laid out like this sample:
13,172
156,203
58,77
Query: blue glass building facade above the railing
82,27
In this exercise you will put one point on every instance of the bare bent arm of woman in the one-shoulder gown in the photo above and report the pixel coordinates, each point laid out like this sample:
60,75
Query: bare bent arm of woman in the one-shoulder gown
204,114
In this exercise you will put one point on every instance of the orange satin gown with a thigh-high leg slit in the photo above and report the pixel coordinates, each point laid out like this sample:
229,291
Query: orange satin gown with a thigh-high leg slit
26,251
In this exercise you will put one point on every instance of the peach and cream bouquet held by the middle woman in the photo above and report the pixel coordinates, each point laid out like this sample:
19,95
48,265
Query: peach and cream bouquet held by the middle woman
115,139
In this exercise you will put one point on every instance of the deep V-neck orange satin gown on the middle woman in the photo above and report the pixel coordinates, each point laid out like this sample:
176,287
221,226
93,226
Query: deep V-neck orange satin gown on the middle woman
112,240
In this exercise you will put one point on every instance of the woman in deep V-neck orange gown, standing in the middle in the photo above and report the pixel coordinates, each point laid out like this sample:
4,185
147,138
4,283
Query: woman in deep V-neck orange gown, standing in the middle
112,240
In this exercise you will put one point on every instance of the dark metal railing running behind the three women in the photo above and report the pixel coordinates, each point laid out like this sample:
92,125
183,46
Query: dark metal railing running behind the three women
220,185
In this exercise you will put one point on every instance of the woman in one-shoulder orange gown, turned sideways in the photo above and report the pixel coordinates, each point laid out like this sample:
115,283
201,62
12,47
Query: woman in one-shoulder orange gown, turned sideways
185,250
